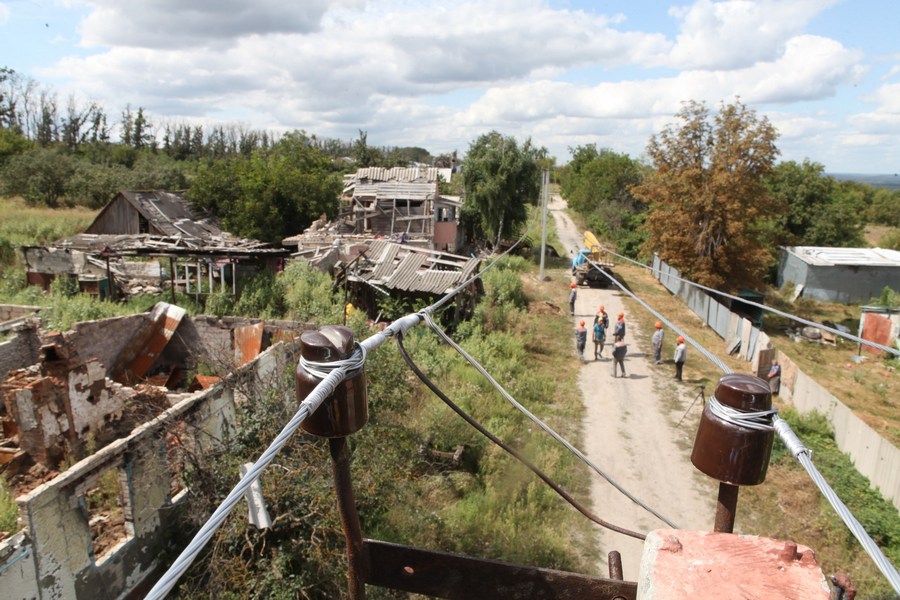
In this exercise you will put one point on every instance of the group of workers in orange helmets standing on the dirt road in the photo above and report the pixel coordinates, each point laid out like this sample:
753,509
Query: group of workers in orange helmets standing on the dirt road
619,347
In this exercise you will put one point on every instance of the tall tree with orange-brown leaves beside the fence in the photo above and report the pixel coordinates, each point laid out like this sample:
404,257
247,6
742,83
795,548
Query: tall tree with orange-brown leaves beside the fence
707,197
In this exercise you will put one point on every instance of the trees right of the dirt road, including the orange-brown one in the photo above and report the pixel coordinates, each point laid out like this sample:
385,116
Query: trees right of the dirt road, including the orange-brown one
712,201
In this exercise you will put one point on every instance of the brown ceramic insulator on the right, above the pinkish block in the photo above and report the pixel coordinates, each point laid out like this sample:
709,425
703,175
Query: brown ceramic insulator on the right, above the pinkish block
731,453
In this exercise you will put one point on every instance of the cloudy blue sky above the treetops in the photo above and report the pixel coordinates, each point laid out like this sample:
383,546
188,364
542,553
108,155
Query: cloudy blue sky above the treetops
437,74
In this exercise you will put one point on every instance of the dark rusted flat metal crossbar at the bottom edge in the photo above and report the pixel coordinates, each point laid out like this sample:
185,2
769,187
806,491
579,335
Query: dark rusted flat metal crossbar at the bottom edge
444,575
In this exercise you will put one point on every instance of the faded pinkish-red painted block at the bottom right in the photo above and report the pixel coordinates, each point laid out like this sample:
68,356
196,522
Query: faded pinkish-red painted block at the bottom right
679,564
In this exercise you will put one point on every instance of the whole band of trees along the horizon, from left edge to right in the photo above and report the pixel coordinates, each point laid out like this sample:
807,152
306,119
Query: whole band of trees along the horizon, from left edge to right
709,197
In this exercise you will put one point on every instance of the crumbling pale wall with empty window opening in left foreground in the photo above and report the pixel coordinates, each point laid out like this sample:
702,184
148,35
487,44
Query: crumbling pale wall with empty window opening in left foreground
59,560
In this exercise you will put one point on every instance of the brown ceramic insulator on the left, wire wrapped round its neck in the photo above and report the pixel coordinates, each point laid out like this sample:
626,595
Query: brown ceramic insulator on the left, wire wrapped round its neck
346,410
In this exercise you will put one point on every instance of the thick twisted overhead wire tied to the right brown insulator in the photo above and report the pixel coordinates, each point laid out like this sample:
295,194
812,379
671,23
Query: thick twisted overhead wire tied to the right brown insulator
802,454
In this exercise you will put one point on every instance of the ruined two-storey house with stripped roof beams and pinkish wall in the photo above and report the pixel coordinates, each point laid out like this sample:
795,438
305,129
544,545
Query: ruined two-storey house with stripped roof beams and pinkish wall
402,204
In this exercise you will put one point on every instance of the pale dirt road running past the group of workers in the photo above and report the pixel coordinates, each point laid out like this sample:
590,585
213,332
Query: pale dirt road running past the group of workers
630,431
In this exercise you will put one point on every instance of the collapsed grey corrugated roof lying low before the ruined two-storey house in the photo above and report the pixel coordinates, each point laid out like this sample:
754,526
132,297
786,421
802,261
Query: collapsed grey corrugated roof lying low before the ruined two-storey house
411,269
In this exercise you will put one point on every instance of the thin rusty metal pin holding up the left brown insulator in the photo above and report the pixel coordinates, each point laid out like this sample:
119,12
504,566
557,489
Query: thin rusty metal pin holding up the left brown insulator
343,484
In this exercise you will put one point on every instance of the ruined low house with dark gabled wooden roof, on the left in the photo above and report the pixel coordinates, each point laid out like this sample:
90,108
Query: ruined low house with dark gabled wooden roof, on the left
114,256
